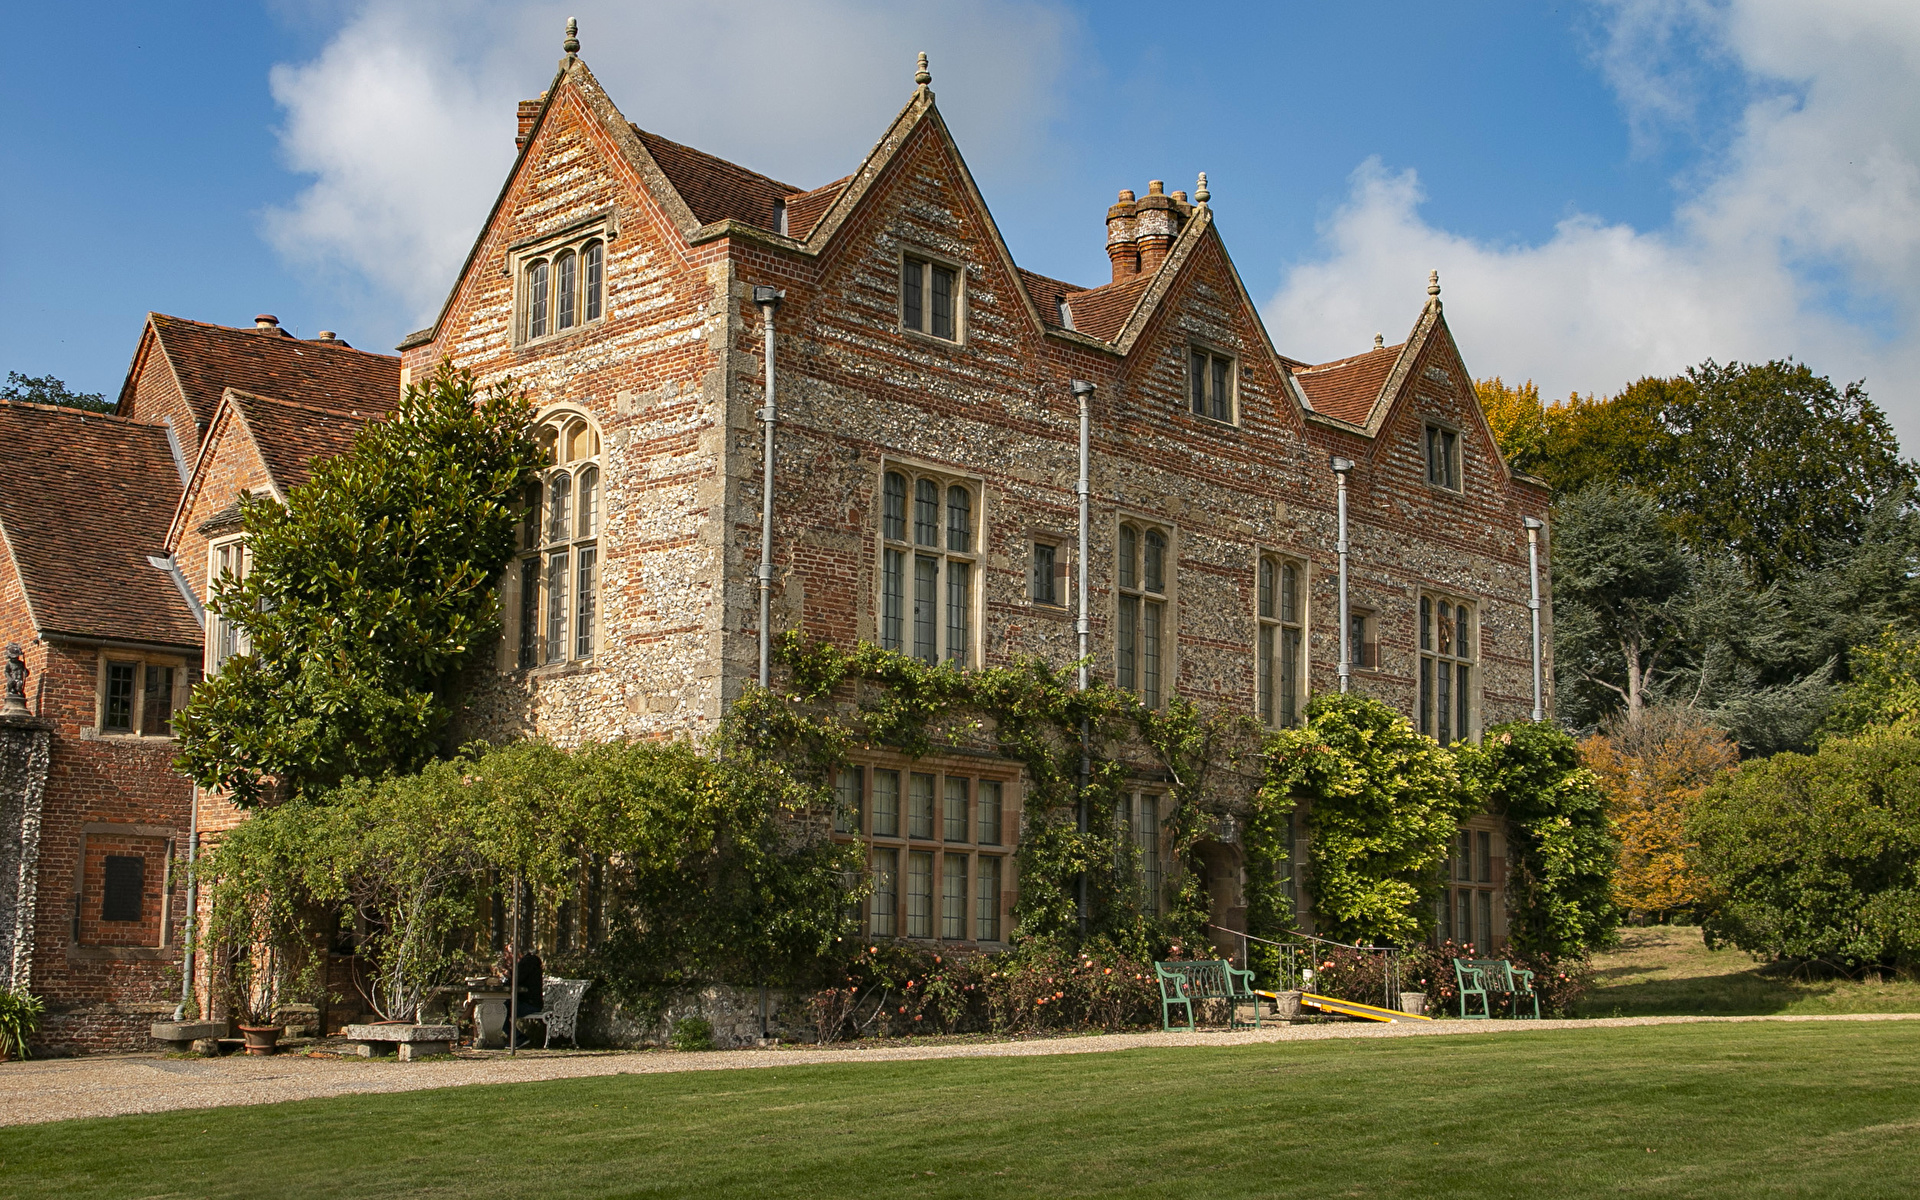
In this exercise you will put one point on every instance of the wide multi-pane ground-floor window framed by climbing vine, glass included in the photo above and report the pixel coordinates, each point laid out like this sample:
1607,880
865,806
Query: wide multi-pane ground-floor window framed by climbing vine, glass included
936,850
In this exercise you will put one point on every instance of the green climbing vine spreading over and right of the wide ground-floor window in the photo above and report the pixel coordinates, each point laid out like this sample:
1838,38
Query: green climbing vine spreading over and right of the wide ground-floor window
1080,750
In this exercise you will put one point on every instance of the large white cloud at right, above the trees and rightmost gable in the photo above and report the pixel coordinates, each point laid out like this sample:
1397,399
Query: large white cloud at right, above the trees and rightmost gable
1800,237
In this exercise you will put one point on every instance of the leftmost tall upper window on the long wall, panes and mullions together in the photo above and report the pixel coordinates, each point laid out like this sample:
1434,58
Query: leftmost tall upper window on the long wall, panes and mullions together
928,560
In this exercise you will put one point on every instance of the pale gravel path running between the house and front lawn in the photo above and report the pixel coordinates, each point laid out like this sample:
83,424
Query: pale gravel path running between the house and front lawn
124,1084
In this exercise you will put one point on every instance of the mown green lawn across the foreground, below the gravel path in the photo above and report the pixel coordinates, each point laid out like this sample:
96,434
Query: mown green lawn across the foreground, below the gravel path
1673,1111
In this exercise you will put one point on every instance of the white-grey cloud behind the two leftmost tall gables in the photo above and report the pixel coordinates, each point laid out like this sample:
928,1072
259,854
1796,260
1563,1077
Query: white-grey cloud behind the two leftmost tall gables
406,116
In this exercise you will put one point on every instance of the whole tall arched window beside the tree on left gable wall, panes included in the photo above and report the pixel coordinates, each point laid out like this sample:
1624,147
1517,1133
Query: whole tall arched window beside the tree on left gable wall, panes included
554,594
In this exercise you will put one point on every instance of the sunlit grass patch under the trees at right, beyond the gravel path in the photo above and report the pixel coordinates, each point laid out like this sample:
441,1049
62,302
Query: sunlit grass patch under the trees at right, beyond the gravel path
1668,971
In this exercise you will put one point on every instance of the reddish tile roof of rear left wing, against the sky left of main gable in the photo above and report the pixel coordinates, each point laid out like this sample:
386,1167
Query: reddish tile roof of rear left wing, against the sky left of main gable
212,358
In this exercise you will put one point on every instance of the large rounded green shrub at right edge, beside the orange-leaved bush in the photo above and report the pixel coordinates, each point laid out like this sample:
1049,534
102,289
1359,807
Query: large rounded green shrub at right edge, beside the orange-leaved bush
1817,857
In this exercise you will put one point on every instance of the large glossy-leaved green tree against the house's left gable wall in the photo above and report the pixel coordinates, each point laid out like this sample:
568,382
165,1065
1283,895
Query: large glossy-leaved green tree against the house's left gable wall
370,592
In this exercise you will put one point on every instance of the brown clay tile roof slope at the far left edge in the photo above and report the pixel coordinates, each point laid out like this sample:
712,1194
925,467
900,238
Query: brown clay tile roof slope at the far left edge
84,502
